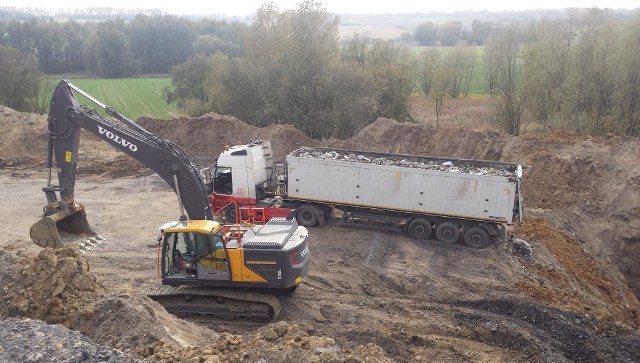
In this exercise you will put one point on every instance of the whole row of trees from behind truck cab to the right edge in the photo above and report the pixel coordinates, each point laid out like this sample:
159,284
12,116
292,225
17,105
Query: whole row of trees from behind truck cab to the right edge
579,73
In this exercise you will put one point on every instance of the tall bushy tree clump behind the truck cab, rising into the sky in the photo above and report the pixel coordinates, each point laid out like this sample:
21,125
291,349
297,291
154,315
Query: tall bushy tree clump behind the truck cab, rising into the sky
295,71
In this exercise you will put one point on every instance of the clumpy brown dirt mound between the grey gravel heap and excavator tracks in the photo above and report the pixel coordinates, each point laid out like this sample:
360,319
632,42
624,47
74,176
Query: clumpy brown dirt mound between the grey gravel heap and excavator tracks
56,286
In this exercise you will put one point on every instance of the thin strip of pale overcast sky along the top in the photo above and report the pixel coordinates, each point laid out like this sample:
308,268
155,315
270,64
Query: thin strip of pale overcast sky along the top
246,7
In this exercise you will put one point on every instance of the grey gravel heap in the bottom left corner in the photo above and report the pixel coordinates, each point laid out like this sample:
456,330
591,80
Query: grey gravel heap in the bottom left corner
36,341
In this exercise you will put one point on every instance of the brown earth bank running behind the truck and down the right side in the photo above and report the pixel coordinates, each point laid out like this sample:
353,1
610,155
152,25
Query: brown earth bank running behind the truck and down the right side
589,187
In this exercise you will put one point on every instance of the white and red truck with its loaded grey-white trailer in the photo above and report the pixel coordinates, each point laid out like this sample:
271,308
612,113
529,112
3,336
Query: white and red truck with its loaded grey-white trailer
448,198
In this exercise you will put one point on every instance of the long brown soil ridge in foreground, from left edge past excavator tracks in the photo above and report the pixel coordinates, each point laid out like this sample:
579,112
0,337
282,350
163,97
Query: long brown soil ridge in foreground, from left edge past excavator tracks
57,287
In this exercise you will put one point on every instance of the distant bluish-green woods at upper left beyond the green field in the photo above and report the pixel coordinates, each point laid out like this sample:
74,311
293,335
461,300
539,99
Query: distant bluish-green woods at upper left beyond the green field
148,44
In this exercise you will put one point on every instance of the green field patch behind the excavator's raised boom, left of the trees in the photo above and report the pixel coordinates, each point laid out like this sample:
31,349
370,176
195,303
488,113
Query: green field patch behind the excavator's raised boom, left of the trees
131,97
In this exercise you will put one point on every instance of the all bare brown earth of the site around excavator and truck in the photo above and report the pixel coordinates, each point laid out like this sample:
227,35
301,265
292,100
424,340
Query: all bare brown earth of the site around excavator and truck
372,295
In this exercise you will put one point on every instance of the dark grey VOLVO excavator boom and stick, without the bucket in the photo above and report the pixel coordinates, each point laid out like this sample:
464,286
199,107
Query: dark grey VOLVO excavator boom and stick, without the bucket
67,117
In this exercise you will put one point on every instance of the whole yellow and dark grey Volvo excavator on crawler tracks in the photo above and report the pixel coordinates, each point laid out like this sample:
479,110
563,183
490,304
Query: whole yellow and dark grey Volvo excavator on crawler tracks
205,267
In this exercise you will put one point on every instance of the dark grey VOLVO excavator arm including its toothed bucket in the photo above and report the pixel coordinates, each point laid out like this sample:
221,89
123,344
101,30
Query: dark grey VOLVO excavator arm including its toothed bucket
66,120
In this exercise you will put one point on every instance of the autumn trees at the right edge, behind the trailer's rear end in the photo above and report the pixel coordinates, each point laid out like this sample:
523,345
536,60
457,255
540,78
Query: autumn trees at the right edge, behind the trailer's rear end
579,73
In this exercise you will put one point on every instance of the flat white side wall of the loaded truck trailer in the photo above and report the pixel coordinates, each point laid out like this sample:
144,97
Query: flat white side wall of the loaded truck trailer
482,197
